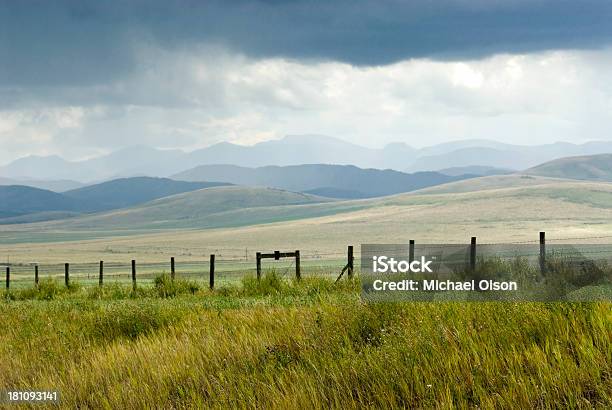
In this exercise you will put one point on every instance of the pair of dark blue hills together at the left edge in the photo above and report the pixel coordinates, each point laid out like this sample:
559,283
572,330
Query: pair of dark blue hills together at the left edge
20,204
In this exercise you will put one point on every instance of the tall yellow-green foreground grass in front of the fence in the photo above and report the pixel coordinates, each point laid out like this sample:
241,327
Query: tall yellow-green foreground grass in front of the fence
283,344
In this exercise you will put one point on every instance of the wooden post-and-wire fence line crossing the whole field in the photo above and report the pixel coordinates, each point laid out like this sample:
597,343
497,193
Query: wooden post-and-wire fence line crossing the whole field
310,260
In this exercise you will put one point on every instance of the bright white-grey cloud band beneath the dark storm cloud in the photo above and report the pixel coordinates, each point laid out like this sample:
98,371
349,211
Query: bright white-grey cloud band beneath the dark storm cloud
191,100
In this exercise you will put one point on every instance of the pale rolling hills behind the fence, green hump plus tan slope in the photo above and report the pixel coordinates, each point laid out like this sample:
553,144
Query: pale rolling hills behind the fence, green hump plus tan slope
499,208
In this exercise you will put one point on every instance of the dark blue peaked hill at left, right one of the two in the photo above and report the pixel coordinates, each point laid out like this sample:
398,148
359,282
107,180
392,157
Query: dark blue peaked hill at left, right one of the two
125,192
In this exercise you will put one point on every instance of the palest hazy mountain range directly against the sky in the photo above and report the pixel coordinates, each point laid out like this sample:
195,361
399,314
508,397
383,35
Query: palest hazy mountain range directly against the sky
296,150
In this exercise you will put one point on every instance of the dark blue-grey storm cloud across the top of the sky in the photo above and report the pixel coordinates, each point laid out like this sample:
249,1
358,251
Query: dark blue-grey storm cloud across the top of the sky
74,43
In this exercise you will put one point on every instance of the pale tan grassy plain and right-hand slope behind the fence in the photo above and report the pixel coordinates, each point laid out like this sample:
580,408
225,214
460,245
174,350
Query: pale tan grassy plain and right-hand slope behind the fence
495,209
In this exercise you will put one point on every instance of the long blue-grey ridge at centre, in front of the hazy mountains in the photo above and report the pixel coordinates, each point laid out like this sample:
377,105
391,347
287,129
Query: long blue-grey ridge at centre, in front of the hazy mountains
336,181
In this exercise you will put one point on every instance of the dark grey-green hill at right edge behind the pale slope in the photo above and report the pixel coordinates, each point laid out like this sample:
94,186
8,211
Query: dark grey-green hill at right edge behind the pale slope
589,167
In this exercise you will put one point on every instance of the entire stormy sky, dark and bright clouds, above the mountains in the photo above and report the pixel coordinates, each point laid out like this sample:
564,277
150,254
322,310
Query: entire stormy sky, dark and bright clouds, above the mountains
81,78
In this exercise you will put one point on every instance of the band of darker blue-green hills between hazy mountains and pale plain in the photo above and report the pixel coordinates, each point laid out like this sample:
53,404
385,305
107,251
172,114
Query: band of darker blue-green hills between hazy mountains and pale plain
265,194
